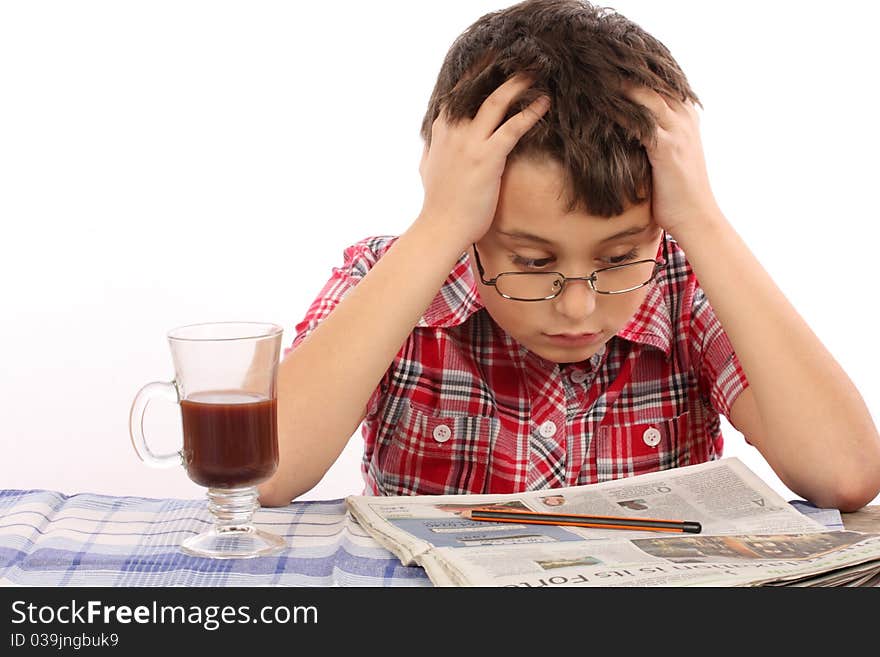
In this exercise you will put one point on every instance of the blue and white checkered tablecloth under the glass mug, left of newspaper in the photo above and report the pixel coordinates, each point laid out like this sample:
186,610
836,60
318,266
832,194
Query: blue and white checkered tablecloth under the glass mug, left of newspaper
51,539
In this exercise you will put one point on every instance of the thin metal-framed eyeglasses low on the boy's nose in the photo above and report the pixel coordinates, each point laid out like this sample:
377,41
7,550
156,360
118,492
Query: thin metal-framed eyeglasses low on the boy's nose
543,286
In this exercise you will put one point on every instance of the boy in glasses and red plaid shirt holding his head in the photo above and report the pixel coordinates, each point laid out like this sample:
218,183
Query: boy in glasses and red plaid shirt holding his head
538,325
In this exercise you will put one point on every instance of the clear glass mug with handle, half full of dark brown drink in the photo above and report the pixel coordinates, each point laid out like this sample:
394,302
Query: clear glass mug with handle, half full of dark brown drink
225,385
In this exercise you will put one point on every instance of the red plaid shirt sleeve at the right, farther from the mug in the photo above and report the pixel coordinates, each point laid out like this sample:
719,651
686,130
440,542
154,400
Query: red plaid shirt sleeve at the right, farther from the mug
721,377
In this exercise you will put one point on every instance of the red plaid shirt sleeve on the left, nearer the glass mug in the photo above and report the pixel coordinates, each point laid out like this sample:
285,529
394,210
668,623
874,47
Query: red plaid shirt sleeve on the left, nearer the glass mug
358,259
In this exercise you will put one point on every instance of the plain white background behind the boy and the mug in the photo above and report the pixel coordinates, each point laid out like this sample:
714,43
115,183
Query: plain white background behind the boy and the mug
165,163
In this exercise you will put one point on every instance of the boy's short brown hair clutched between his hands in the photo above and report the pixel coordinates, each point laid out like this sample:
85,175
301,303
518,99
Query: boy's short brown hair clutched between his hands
580,55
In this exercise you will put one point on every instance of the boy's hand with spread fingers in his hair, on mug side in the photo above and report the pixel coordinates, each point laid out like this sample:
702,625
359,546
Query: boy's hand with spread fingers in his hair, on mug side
461,172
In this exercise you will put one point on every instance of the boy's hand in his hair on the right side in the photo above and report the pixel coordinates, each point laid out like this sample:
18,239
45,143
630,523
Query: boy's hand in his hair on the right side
682,194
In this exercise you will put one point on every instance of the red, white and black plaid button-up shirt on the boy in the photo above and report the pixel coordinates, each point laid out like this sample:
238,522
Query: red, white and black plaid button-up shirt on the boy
464,408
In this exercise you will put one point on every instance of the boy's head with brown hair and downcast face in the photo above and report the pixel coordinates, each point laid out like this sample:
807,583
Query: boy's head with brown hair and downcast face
580,165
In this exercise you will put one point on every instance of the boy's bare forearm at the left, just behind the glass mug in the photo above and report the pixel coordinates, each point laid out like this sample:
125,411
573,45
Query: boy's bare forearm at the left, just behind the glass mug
325,383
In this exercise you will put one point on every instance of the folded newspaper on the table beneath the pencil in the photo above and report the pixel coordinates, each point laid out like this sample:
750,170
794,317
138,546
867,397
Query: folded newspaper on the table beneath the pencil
750,535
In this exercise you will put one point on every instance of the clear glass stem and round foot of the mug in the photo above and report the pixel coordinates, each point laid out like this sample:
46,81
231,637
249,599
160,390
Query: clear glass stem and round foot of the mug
233,535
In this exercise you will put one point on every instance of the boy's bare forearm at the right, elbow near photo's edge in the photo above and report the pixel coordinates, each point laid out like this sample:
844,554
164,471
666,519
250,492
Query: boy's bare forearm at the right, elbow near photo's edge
819,435
